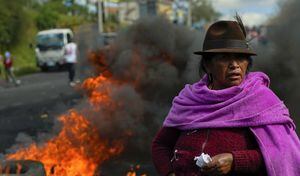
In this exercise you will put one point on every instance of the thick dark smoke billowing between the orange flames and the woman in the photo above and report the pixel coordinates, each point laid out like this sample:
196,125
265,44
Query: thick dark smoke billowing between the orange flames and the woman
154,58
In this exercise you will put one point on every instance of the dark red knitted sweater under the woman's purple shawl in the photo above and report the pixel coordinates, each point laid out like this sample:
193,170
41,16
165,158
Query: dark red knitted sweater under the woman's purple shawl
174,150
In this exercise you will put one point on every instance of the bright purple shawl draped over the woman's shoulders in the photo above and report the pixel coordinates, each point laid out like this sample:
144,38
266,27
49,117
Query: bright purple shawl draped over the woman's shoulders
251,104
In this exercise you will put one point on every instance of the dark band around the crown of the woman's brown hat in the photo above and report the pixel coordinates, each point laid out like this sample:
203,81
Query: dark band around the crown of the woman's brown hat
218,44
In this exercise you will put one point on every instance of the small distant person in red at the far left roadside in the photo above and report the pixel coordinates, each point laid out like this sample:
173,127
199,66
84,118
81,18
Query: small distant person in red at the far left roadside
8,69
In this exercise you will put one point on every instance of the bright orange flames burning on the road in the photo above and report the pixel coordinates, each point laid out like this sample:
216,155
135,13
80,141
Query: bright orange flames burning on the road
79,149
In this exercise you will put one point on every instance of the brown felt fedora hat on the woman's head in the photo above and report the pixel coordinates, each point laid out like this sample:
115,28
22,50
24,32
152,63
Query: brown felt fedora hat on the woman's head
225,37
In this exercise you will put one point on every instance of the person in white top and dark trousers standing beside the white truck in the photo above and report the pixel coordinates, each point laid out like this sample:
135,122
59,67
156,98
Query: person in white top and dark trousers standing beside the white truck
70,55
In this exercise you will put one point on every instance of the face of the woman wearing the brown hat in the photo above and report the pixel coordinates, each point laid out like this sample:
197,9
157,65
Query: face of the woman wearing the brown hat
227,69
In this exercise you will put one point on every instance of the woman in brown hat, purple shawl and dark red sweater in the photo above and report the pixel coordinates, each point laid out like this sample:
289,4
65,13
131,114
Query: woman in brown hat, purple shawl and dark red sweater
230,118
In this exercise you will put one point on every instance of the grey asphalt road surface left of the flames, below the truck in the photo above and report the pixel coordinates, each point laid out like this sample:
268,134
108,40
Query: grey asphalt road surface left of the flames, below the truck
31,107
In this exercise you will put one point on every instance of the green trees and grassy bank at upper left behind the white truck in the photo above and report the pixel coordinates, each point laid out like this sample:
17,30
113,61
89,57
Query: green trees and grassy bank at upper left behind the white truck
20,21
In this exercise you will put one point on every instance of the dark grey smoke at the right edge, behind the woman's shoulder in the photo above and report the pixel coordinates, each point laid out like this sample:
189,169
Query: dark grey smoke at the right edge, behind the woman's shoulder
280,57
